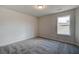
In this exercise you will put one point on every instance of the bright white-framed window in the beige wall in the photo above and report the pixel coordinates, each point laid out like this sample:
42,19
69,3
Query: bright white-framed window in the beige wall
63,25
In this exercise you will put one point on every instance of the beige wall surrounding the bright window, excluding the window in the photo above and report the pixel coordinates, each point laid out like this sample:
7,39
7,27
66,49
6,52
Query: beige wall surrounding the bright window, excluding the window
48,27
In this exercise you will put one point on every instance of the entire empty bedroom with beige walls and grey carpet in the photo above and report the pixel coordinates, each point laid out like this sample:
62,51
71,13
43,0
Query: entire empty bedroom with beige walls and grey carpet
39,29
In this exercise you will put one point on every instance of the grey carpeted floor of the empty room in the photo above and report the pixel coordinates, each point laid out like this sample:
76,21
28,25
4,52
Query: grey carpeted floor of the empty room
39,46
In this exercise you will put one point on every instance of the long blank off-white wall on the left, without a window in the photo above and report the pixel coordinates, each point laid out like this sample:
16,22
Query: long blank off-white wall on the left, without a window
15,26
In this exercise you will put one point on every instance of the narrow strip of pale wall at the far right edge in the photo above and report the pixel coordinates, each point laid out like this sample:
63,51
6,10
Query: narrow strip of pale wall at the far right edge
77,25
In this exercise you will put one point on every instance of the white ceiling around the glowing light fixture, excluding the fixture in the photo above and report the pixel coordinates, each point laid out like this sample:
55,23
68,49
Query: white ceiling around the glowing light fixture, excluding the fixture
28,9
